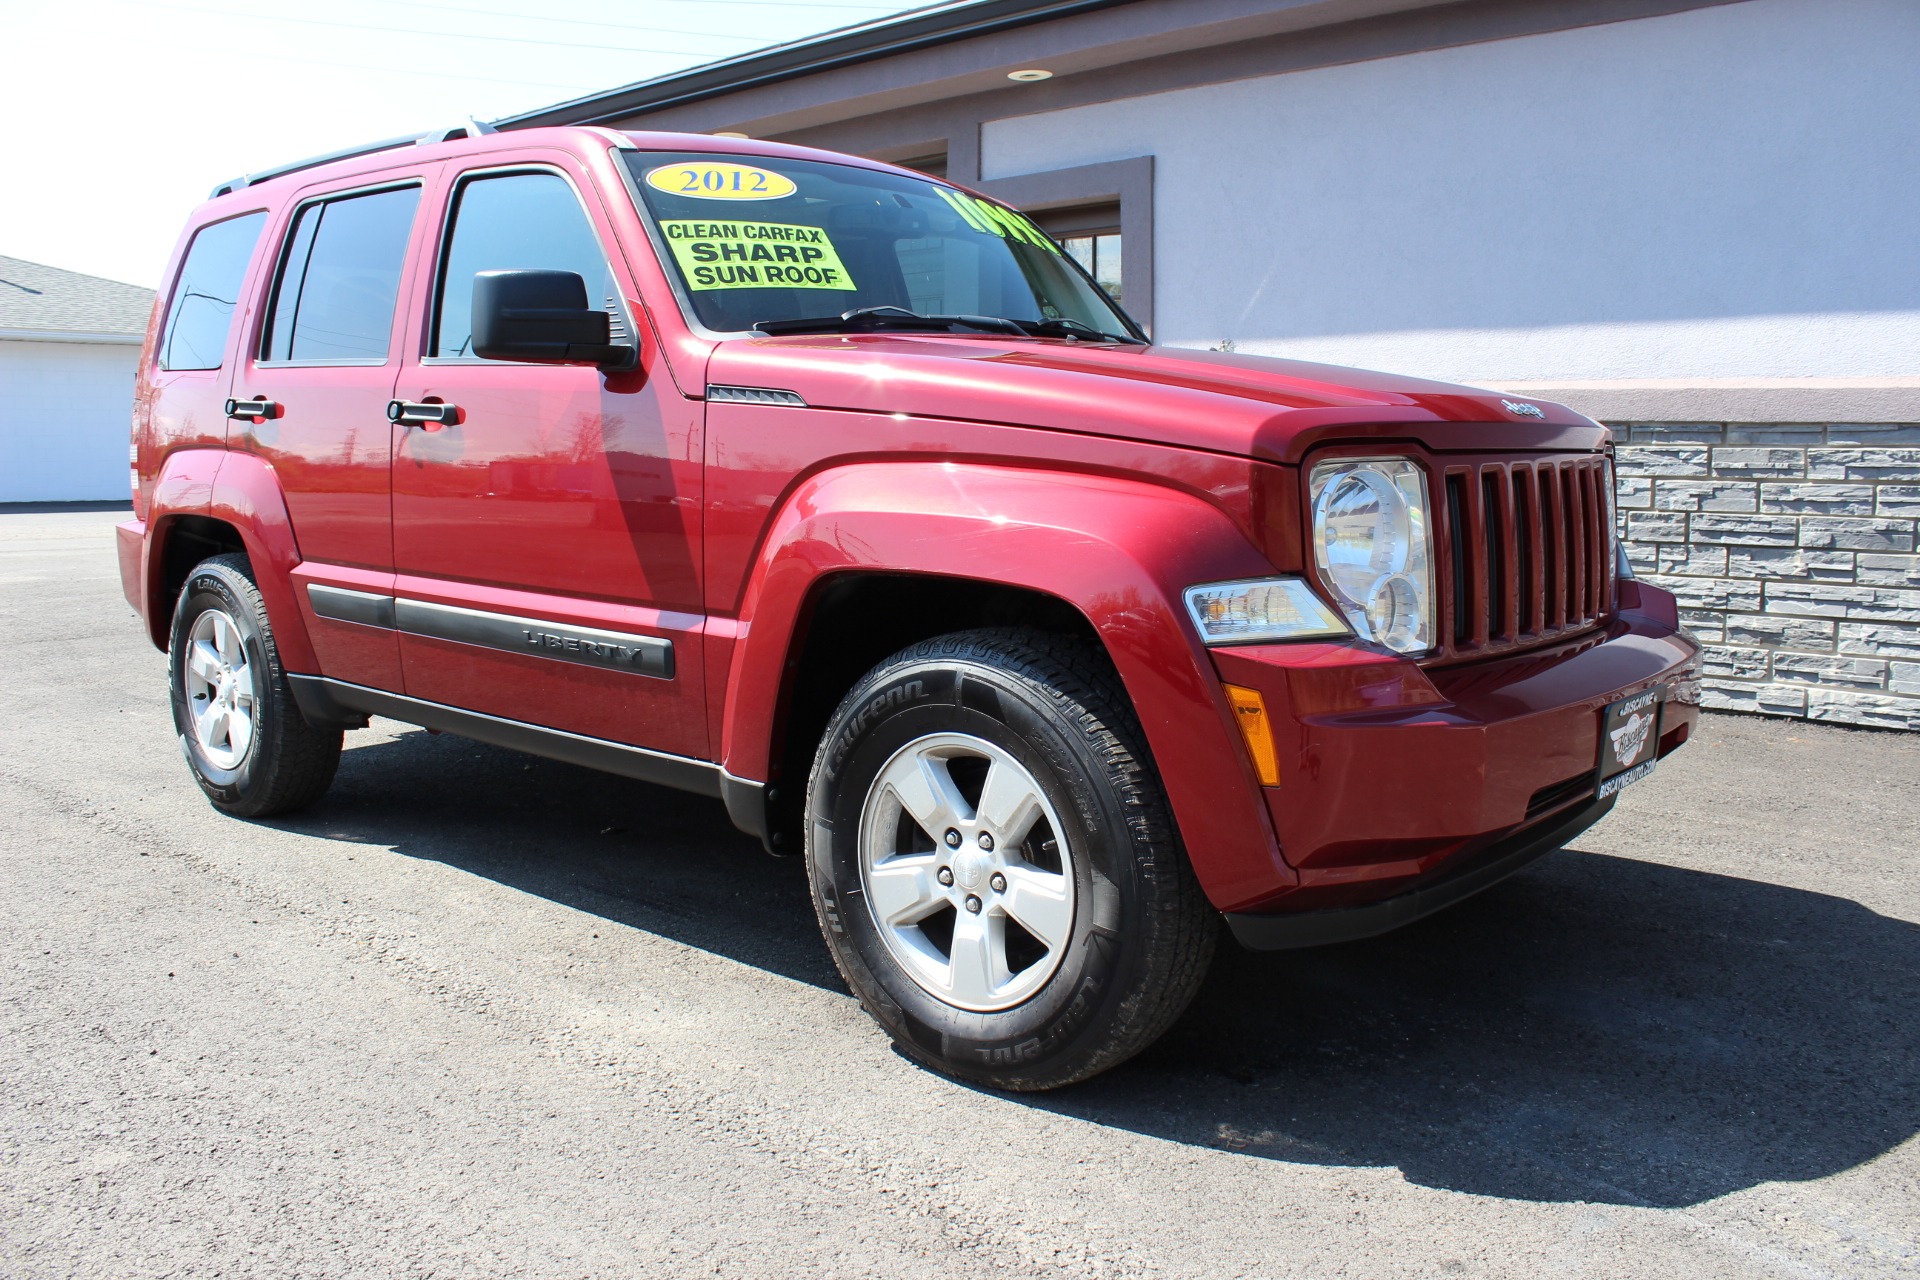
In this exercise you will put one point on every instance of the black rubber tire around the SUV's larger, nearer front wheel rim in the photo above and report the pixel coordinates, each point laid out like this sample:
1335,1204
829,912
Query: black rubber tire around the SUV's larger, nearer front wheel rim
1141,930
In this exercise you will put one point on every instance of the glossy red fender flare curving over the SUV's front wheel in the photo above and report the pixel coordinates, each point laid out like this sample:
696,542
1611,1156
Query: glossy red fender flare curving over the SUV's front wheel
1120,552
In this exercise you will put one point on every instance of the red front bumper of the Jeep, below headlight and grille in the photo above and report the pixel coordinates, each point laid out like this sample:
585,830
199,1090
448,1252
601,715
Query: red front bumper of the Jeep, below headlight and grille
1397,776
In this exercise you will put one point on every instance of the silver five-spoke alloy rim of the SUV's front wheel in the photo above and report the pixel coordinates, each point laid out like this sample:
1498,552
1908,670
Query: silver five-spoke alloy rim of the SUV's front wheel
967,872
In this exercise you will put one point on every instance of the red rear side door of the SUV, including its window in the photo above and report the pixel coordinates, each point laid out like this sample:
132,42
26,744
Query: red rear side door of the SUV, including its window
314,389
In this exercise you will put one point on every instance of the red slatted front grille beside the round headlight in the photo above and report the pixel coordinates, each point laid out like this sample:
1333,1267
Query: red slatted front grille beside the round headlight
1527,556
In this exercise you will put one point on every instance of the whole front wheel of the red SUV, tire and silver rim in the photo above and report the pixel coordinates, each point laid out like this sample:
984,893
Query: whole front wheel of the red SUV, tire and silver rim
996,866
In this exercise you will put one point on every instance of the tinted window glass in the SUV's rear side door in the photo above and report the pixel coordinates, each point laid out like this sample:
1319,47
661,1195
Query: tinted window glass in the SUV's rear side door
341,279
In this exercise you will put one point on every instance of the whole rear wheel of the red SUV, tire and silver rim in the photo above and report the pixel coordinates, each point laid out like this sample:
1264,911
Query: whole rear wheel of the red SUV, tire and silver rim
241,730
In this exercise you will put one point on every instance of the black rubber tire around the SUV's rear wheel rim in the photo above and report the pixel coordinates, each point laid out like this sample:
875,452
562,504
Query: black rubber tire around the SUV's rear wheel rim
287,765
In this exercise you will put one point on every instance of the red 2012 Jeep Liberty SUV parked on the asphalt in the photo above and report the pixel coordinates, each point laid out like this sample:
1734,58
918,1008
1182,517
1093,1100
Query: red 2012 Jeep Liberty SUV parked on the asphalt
844,496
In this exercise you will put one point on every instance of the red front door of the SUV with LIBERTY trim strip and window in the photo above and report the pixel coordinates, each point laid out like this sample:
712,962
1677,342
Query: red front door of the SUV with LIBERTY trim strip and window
546,536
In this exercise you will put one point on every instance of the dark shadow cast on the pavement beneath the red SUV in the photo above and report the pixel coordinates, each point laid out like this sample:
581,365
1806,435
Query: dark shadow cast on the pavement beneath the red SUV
1595,1030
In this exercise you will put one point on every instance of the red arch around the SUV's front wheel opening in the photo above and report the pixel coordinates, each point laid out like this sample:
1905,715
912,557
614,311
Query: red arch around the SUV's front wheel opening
1093,556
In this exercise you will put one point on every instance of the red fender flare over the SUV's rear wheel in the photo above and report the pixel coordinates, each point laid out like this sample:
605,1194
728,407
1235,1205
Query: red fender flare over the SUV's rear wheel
243,492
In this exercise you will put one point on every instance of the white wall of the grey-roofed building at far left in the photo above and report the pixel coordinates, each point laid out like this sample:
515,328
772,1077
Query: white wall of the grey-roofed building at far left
66,414
